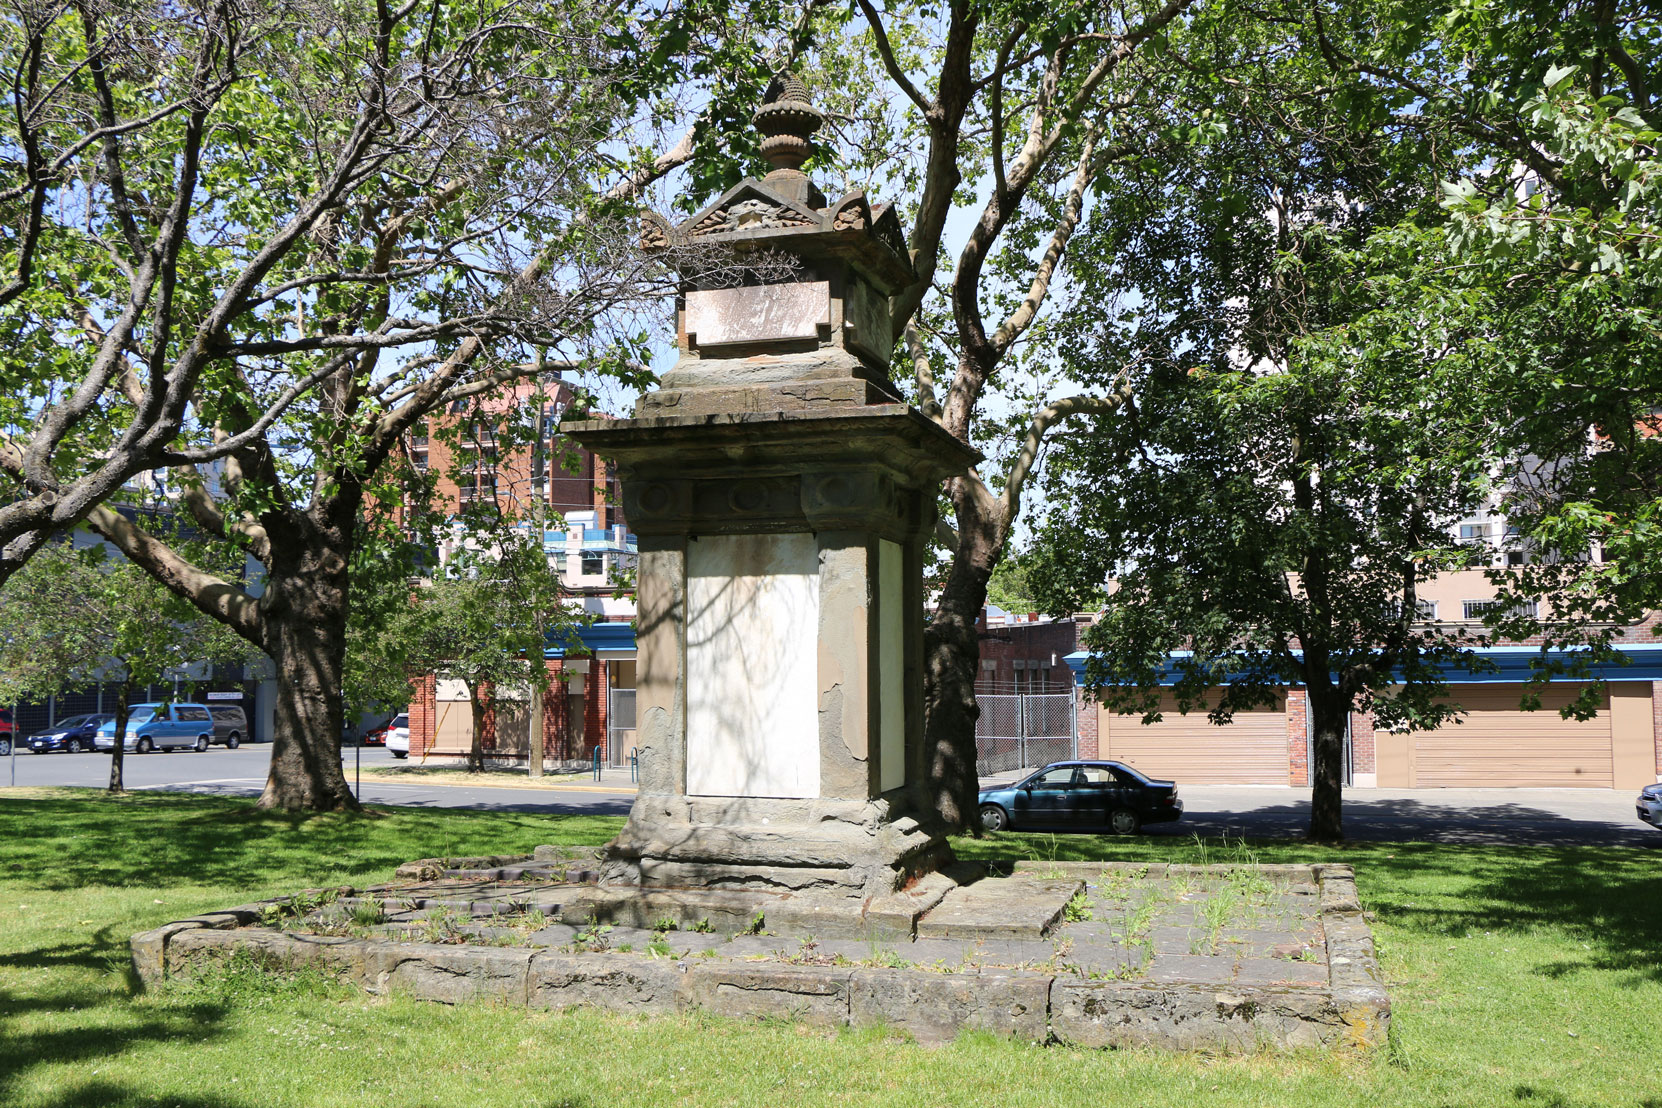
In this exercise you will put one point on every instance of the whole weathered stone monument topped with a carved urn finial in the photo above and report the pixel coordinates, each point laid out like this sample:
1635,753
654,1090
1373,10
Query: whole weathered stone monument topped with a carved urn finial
782,493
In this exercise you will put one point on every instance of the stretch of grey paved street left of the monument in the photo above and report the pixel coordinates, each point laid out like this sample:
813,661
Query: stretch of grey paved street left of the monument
243,773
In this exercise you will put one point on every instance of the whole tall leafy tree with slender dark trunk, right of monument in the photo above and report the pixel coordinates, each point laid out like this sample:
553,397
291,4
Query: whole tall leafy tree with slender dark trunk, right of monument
1294,456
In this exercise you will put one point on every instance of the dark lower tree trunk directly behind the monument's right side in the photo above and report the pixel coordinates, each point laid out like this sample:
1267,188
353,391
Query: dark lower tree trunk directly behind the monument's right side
951,659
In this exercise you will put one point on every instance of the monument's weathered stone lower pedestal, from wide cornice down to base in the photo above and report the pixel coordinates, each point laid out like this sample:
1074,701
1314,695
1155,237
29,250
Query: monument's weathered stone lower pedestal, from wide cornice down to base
780,647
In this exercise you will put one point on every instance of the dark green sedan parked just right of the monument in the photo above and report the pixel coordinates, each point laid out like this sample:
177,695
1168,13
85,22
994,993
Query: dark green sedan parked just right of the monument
1081,797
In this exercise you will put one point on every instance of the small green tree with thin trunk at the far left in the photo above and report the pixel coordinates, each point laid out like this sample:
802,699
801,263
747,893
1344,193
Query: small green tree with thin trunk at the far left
77,617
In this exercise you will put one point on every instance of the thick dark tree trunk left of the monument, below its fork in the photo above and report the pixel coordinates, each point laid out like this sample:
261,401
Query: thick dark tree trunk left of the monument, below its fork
305,634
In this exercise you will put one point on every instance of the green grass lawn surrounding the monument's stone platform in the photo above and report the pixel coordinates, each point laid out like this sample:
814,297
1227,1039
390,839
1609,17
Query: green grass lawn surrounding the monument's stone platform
1520,976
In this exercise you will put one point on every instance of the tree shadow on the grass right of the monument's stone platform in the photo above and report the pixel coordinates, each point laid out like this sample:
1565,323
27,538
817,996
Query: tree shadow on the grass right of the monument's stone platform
1605,900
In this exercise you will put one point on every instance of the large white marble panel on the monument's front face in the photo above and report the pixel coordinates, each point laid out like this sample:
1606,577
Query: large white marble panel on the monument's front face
752,665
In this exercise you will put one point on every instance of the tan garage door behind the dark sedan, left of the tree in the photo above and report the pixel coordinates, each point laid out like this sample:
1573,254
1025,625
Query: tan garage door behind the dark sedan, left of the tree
1189,750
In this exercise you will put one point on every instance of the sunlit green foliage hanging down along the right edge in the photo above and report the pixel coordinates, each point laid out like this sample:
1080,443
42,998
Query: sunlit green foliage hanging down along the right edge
1550,245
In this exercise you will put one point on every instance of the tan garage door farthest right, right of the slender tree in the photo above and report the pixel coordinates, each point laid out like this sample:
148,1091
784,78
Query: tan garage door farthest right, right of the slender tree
1498,745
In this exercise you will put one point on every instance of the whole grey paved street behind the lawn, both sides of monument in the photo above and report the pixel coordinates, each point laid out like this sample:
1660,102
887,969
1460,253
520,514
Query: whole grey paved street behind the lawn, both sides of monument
1525,816
